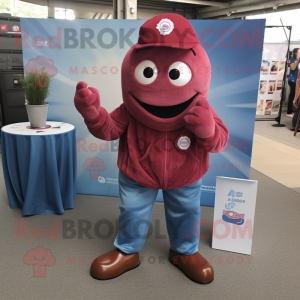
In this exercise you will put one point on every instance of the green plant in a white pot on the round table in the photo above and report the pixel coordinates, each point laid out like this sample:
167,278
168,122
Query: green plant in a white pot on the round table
36,88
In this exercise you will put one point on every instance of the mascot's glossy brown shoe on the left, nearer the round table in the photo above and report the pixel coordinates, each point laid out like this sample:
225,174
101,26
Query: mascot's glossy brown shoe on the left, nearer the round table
113,264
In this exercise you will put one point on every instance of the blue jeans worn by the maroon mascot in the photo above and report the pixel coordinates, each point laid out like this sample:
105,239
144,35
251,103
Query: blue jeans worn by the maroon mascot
182,211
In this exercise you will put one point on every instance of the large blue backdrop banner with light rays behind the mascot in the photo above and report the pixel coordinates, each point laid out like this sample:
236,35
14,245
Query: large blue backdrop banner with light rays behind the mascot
93,51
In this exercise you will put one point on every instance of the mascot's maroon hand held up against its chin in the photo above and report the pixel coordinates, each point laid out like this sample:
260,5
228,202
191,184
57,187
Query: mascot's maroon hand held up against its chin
200,120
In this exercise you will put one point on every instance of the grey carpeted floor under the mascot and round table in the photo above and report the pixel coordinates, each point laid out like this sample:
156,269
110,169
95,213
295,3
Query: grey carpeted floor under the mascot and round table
272,272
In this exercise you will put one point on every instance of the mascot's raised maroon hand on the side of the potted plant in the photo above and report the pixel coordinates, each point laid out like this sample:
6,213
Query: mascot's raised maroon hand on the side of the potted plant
87,101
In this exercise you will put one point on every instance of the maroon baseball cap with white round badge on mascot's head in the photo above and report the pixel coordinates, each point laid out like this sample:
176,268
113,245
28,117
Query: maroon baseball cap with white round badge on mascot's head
167,30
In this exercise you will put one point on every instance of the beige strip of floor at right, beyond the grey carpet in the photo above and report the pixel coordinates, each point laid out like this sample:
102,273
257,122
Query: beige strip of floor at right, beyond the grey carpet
279,161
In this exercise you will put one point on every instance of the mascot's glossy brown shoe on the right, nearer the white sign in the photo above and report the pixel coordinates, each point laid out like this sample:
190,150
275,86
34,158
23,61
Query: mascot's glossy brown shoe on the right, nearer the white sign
194,266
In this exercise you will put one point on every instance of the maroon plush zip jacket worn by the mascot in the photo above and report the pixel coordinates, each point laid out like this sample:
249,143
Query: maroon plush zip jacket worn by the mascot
152,158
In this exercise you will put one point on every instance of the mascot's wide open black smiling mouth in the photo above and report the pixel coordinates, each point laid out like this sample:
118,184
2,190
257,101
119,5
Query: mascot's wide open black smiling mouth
166,112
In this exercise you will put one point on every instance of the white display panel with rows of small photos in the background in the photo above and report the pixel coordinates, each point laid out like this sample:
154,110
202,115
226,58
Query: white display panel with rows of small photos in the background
271,78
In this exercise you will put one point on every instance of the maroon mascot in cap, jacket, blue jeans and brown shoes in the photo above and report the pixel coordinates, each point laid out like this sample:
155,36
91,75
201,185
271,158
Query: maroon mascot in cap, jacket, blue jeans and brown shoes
166,129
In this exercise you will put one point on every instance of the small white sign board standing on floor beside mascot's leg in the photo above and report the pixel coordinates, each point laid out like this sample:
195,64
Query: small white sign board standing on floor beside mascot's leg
234,214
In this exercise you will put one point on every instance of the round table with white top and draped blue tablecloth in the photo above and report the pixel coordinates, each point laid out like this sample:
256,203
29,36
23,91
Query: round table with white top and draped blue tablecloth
39,167
